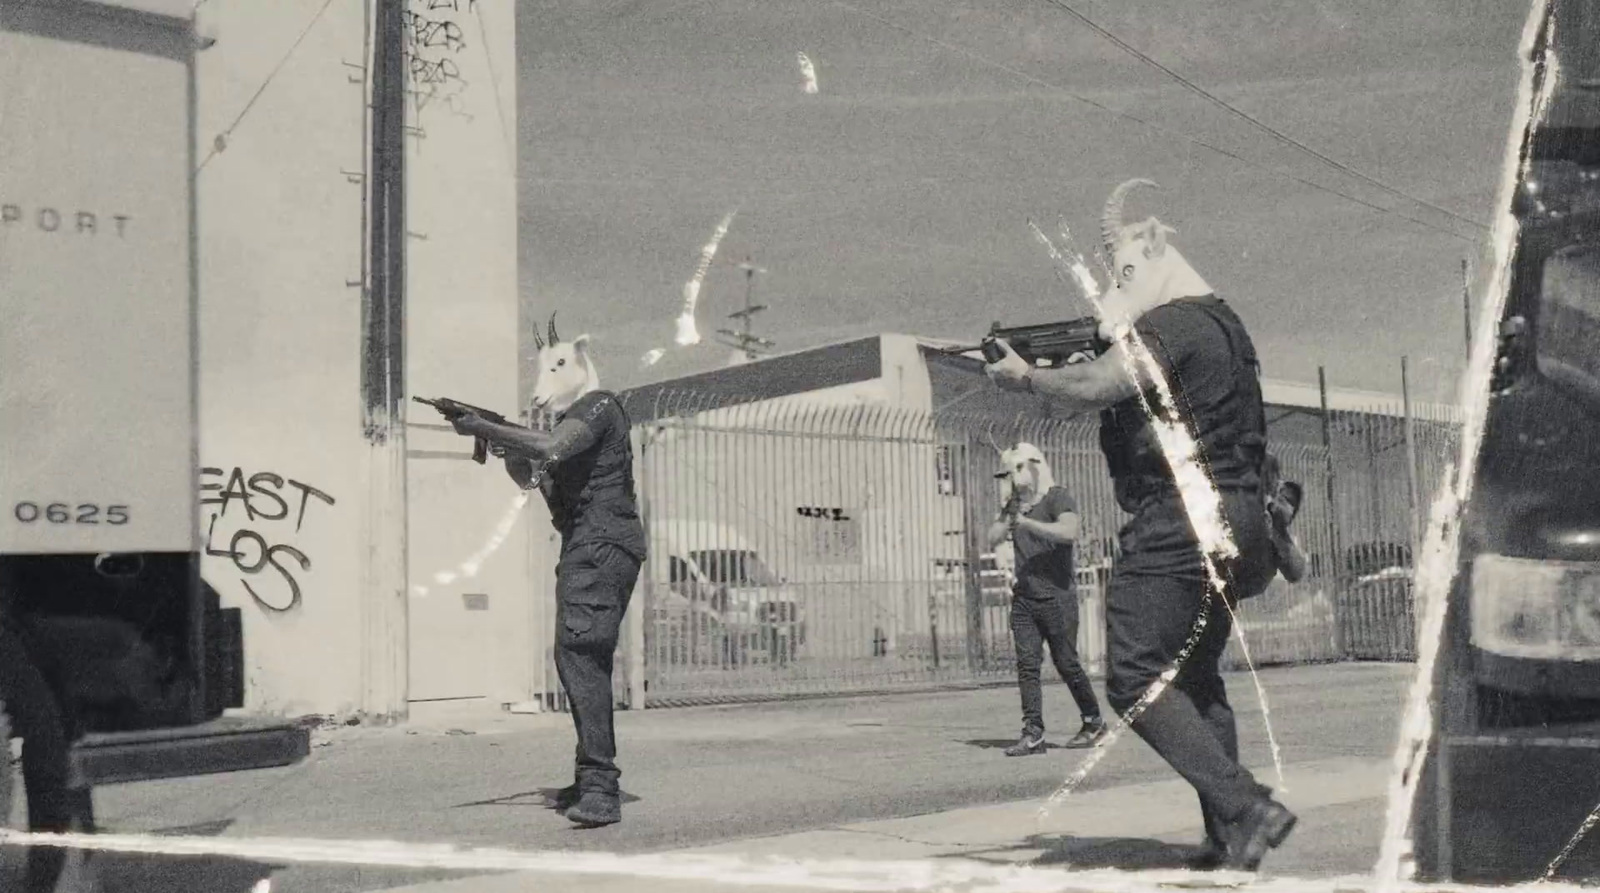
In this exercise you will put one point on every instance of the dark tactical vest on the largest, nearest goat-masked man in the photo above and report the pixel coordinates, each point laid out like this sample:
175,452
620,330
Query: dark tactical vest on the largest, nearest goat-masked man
1231,426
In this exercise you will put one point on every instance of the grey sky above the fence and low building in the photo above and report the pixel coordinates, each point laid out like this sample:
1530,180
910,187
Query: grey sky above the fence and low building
898,196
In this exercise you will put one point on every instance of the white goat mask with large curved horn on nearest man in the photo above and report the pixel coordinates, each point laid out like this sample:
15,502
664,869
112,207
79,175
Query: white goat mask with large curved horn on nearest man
1146,270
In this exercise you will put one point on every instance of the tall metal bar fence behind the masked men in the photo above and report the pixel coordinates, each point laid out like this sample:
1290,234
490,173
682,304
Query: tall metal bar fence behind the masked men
817,550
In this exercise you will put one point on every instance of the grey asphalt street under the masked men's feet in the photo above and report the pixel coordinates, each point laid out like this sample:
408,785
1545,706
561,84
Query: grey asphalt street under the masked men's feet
692,777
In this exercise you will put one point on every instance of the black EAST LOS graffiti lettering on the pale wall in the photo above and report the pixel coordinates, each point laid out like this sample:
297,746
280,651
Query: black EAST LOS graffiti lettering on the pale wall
242,489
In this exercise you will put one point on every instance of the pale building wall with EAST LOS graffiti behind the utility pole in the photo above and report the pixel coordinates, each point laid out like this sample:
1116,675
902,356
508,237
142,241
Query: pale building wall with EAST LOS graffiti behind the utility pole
281,260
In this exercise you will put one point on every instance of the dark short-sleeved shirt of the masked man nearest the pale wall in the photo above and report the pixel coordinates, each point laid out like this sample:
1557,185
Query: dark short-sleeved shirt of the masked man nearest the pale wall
591,494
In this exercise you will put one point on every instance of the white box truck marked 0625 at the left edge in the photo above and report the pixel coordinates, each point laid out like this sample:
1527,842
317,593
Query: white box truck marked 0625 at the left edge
118,663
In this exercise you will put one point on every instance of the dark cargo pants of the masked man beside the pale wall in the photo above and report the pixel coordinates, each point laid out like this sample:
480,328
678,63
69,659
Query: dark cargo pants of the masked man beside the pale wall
594,583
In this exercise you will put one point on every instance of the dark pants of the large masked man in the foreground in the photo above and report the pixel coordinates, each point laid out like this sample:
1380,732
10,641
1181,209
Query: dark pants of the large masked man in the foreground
1154,598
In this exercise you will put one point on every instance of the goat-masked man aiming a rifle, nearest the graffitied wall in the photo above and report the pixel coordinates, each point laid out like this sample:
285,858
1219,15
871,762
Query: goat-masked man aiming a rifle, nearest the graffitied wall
588,481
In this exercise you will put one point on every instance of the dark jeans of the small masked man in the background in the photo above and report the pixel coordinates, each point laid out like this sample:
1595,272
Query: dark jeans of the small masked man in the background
1054,622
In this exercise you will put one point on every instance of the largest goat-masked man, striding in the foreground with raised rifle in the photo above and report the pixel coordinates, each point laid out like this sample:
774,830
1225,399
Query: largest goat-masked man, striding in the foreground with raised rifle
1159,585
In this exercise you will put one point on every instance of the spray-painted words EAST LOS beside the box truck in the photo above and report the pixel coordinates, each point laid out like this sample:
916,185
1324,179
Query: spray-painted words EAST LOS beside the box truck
268,513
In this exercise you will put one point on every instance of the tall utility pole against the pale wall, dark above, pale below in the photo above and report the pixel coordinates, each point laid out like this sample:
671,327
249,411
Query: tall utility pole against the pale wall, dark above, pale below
385,593
